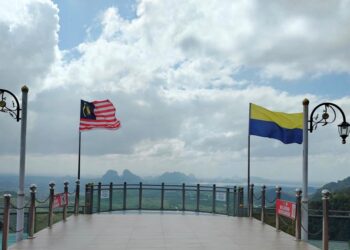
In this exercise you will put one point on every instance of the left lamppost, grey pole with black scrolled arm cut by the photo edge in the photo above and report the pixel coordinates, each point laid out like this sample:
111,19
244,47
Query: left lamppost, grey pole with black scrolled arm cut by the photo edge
9,104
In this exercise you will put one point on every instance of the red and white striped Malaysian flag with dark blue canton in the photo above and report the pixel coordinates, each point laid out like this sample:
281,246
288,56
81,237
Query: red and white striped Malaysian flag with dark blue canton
97,114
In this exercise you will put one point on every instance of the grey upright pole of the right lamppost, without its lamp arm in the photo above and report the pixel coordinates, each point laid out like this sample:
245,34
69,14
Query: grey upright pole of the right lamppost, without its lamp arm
304,200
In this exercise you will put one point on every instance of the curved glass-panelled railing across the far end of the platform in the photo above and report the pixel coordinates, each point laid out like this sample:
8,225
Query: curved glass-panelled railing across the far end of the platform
171,197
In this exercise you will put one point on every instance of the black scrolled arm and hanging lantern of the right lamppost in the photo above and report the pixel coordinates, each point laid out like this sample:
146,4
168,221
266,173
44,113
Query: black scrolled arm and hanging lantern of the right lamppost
328,116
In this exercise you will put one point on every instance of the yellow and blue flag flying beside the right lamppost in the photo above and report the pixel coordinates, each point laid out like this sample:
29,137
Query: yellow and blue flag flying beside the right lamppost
288,128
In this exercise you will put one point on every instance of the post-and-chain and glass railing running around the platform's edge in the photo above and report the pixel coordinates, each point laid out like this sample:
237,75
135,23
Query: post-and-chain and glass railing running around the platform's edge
197,198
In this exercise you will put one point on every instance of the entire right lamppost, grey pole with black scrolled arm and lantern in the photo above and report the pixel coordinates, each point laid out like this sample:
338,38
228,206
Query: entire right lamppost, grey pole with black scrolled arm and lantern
323,114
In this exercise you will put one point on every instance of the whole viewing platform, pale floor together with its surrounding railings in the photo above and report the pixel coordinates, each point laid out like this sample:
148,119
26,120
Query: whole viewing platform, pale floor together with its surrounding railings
153,216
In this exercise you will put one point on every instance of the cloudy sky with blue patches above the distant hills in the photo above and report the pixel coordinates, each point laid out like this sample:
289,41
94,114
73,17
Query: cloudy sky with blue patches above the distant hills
181,75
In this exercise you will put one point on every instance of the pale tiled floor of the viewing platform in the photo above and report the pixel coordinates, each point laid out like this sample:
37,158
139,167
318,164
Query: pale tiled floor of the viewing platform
157,230
